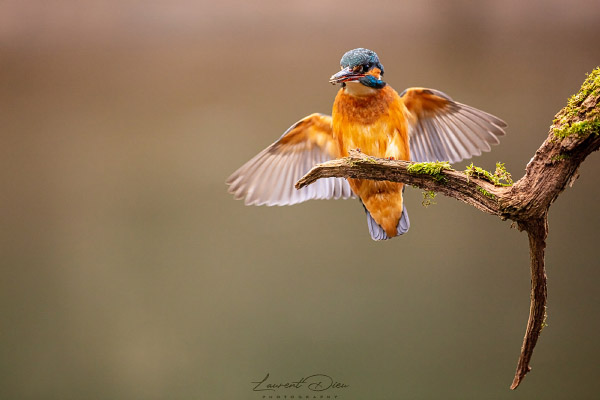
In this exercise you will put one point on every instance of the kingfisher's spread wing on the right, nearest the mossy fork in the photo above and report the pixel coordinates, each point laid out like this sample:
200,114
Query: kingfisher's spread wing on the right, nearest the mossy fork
445,130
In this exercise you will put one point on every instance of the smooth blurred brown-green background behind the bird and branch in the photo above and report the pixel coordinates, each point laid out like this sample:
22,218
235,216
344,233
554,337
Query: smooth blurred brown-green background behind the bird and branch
129,272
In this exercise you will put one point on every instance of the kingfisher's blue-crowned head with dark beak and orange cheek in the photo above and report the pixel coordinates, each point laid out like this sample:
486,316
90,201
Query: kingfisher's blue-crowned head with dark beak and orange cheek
360,66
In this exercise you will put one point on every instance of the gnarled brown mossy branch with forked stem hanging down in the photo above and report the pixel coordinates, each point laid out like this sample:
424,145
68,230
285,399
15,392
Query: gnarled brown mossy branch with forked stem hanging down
574,135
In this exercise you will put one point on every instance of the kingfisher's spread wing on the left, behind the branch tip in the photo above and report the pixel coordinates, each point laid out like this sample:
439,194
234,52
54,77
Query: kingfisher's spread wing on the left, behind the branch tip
269,177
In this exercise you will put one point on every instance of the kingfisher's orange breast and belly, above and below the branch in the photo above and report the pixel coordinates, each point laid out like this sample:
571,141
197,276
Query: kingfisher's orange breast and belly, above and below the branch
376,125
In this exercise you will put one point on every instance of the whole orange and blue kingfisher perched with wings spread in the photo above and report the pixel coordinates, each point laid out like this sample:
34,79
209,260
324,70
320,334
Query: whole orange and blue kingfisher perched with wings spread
419,124
